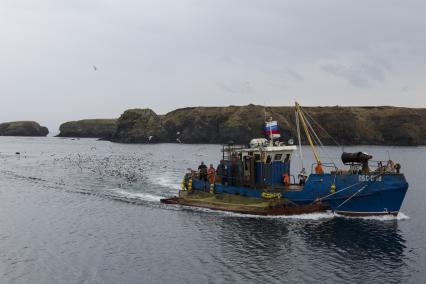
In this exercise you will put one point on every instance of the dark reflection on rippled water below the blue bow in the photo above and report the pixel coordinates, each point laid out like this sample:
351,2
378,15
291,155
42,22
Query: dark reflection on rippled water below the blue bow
363,249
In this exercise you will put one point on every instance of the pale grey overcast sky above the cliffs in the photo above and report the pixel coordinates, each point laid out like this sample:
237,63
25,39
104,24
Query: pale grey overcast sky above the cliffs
165,54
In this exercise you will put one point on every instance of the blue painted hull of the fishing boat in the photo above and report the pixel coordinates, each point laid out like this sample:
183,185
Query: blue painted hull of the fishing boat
354,194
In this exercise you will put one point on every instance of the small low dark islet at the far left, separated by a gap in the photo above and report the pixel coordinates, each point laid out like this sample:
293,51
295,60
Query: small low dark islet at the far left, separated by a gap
22,128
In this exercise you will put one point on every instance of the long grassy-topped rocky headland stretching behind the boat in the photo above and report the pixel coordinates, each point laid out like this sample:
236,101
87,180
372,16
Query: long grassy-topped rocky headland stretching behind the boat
347,125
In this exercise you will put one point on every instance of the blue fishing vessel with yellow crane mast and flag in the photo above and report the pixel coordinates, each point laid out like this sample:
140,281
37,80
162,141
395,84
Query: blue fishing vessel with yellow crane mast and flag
257,179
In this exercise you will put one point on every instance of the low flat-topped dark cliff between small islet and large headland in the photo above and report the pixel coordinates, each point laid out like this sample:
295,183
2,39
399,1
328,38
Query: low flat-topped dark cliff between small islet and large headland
89,128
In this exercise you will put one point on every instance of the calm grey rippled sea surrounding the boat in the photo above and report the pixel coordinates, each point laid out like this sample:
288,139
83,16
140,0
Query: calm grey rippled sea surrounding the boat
87,211
